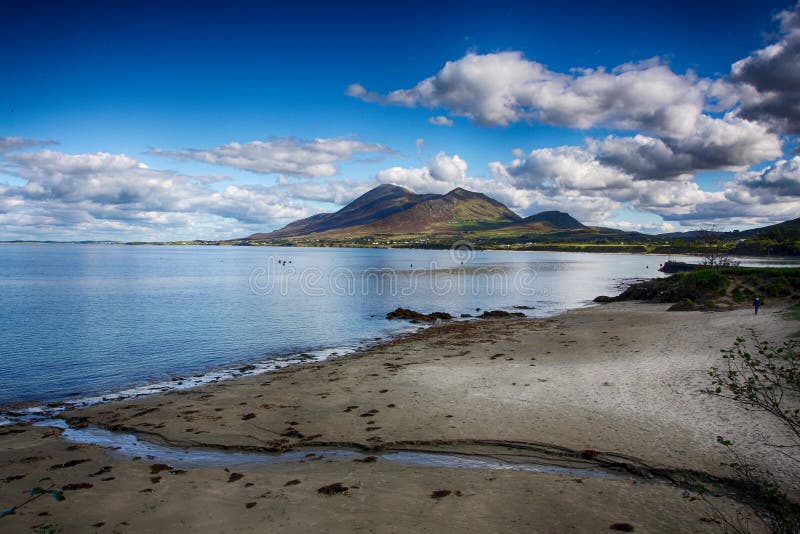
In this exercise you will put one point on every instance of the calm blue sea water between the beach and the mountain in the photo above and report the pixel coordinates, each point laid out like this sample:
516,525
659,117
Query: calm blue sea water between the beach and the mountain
83,320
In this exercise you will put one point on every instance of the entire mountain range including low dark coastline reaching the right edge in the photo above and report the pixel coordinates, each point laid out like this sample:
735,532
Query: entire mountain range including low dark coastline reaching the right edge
393,216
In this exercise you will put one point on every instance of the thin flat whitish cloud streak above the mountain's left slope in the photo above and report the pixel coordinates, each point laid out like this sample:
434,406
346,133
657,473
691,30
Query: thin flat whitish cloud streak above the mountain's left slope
285,155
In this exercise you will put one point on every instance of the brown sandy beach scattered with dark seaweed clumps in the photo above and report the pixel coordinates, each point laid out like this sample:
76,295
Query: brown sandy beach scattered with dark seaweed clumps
615,384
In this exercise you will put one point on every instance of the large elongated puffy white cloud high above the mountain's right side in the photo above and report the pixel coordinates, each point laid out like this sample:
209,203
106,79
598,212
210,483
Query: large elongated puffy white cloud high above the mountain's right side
501,88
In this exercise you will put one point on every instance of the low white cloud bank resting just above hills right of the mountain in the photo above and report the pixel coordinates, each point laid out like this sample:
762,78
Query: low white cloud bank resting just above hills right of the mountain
570,176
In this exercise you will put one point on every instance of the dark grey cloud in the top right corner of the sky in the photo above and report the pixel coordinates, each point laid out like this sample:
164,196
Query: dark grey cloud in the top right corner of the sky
769,78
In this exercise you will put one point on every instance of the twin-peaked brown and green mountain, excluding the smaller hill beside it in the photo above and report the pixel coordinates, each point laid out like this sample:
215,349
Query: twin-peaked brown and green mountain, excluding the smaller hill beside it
389,210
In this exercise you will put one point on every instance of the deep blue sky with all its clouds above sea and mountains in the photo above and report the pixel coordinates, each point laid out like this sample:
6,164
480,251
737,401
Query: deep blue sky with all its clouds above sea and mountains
94,92
